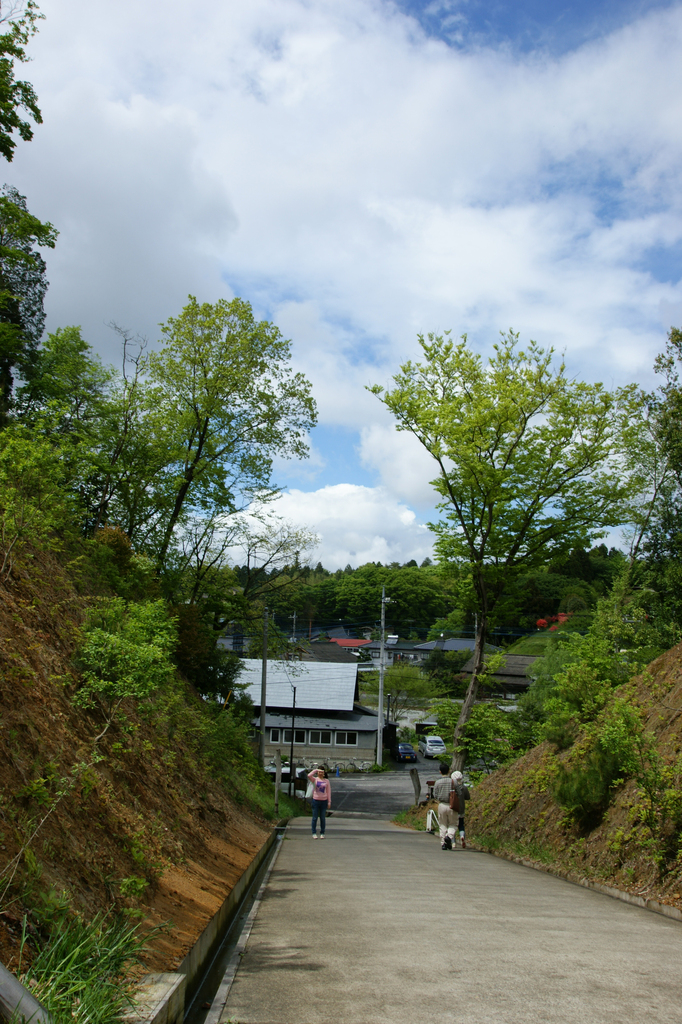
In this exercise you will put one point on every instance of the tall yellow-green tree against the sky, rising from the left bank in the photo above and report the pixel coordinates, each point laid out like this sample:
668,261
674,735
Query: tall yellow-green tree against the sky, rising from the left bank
225,402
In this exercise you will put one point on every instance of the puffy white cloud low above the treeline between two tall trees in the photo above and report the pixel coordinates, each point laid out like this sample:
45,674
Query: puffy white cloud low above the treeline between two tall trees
357,525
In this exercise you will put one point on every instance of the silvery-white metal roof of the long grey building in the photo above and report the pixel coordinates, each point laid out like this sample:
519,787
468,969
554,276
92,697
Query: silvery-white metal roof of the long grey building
319,686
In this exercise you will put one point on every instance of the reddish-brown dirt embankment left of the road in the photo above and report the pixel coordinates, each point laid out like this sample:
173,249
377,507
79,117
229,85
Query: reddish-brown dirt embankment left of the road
145,829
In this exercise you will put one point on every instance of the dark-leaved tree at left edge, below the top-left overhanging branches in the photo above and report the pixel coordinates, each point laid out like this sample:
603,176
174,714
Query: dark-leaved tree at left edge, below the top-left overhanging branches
23,287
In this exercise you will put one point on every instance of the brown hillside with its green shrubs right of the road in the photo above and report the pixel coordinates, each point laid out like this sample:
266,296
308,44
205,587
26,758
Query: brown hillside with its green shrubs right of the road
635,842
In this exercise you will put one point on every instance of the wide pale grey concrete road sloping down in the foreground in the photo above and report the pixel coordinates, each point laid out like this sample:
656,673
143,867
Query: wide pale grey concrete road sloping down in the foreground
377,925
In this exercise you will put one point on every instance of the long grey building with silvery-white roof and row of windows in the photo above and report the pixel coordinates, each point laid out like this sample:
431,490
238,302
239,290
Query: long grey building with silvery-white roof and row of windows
328,722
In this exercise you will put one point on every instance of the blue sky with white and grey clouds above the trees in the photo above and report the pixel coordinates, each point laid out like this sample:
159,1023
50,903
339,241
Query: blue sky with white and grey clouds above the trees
362,173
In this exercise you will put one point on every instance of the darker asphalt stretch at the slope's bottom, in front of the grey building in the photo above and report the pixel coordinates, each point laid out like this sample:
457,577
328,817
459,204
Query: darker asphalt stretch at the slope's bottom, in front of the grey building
380,795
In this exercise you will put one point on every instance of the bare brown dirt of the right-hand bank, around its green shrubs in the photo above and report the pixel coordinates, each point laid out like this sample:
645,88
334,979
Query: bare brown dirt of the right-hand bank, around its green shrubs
515,810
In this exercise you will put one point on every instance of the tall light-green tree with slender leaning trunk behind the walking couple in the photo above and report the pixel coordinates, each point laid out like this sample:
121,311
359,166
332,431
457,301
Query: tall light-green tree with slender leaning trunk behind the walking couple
525,462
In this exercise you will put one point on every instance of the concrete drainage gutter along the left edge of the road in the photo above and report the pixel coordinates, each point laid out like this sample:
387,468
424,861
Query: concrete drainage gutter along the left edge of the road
161,998
